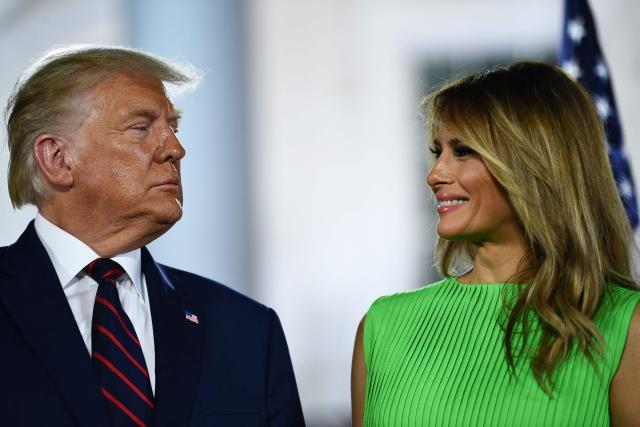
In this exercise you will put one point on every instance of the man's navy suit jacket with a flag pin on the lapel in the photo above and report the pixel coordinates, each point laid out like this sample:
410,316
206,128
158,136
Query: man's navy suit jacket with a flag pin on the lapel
232,368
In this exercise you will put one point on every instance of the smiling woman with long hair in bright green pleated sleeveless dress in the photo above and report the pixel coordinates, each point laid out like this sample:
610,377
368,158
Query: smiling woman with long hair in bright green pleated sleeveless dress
530,324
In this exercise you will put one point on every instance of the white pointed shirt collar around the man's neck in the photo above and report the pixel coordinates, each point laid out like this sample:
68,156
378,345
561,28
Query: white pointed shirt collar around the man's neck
70,255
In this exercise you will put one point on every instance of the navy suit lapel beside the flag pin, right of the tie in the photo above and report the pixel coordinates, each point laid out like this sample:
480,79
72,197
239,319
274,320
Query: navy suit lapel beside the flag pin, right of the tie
177,346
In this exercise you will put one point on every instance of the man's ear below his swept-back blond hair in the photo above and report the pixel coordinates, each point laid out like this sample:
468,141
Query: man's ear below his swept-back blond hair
51,153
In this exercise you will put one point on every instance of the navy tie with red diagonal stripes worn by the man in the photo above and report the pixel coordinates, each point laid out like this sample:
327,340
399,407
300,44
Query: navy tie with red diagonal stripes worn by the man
116,352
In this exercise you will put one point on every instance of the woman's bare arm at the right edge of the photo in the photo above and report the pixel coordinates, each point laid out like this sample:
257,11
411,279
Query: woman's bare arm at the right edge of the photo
625,387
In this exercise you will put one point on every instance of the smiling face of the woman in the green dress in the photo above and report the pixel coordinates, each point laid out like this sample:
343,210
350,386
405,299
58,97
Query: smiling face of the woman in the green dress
471,204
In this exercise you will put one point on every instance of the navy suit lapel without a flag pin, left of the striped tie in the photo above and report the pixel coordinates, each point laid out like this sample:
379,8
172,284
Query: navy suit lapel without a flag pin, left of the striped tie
35,299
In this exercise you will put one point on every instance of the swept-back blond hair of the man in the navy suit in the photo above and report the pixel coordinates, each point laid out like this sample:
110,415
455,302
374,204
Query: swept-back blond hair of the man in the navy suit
42,101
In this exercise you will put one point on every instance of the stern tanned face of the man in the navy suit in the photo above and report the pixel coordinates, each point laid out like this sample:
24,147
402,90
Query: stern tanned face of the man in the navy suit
125,156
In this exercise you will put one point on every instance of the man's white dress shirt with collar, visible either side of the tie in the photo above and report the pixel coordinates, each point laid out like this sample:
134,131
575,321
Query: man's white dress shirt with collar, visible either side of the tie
69,256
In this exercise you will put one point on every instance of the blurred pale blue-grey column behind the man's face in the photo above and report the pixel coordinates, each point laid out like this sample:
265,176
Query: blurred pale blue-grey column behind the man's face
212,238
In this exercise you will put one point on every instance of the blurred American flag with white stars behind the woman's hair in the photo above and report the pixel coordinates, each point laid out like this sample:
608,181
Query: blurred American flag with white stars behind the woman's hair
581,57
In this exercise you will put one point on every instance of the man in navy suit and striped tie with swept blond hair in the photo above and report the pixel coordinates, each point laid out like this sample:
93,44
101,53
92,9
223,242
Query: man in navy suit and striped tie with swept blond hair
94,332
